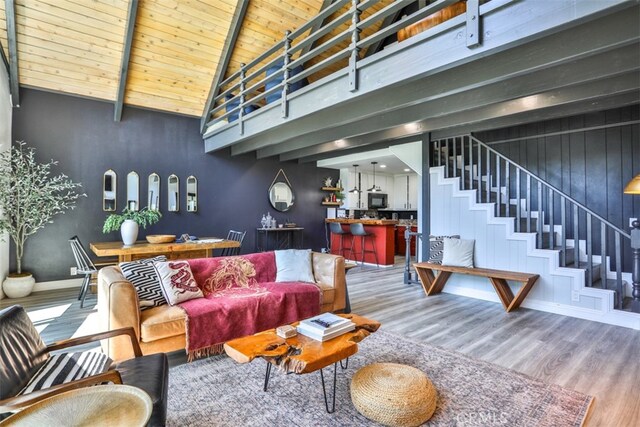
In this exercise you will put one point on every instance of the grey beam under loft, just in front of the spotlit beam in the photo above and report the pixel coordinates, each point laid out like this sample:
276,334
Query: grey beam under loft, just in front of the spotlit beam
596,67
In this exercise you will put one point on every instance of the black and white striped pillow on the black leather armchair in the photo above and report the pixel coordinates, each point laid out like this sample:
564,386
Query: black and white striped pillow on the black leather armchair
67,367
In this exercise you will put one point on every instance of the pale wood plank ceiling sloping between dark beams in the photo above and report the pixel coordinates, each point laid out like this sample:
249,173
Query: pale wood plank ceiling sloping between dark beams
76,46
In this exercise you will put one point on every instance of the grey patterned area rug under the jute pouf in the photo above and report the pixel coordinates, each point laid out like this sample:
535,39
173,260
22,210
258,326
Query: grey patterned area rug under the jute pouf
219,392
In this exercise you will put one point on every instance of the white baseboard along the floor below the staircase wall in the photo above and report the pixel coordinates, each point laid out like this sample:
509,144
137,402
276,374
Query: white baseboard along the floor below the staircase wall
615,317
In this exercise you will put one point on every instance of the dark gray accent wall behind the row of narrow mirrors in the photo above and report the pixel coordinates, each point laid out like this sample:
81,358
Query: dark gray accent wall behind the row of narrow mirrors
83,137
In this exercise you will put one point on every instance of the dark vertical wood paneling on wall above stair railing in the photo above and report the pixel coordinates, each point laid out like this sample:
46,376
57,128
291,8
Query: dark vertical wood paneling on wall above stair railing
591,166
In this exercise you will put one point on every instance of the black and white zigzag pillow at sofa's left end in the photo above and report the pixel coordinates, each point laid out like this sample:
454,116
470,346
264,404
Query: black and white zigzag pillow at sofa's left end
145,278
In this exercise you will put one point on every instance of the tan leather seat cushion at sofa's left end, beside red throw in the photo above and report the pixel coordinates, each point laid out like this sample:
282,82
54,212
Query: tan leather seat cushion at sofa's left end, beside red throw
161,322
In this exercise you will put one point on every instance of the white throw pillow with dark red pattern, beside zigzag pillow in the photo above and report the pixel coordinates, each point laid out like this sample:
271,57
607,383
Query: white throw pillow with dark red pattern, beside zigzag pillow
178,284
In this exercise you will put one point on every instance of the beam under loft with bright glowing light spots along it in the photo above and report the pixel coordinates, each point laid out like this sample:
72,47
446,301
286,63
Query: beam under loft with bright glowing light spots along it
469,119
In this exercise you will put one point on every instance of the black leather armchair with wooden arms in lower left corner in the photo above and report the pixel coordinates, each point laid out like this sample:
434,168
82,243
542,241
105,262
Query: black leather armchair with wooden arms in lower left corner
22,353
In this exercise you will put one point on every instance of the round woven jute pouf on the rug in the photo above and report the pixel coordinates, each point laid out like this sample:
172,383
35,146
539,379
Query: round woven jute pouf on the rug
393,394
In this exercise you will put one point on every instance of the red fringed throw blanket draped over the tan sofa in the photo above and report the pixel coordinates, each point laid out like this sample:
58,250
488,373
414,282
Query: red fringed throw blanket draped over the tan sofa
241,299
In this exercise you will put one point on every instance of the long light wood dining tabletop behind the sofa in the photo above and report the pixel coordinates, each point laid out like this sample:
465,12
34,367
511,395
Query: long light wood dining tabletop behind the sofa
201,248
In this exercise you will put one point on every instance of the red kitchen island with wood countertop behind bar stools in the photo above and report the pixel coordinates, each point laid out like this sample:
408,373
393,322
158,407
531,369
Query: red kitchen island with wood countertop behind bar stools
383,231
